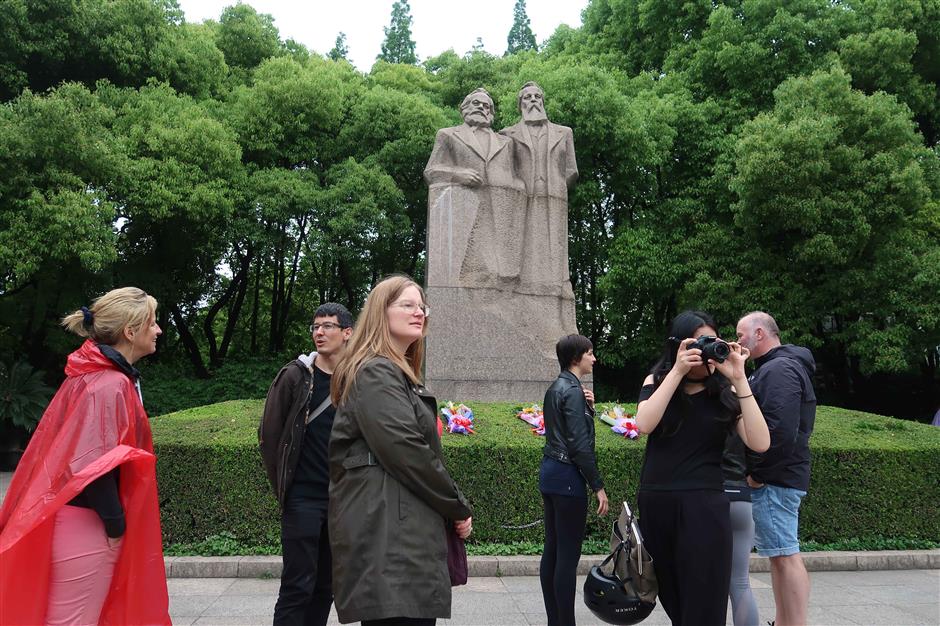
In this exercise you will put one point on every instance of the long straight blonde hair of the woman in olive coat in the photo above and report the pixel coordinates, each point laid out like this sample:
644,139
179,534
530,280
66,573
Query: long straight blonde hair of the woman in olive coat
371,338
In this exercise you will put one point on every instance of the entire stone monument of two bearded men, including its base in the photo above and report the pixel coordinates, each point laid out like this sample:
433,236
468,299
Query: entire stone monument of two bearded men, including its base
497,264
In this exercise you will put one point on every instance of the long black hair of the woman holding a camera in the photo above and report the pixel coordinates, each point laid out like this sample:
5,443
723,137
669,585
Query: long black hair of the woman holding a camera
716,385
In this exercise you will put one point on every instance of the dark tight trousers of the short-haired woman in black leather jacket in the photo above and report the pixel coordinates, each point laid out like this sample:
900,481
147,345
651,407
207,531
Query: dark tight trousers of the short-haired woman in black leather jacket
558,570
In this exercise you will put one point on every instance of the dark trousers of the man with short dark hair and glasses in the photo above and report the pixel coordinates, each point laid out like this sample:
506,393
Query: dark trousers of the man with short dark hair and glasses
307,579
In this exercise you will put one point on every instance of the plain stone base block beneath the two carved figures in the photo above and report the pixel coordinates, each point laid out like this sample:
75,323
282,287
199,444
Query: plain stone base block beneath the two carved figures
494,345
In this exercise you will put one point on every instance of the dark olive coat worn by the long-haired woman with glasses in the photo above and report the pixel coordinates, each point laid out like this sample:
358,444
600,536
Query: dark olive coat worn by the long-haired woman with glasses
390,498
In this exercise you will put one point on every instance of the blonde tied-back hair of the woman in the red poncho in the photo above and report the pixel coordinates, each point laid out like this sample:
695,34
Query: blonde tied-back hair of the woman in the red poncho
109,315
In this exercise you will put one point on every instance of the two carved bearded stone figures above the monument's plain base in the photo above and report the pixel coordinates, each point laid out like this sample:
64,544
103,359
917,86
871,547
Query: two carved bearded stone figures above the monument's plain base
508,194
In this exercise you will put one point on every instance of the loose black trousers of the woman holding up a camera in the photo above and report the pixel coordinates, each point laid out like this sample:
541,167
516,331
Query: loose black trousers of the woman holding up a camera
688,534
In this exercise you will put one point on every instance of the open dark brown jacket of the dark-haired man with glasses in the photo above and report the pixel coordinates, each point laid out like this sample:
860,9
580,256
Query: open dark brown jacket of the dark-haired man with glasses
281,432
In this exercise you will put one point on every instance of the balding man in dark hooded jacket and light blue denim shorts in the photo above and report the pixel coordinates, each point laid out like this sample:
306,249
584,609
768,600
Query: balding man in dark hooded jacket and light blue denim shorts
783,387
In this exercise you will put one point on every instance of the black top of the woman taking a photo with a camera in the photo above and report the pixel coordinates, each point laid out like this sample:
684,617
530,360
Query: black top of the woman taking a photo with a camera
684,451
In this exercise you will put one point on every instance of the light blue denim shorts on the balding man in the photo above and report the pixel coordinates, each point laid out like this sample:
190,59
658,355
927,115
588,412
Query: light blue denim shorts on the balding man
776,513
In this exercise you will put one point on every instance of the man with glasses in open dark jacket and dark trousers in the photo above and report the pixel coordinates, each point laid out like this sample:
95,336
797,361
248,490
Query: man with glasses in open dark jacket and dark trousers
294,436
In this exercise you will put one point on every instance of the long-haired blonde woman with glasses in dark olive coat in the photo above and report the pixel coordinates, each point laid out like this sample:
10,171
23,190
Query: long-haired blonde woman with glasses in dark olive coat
390,494
